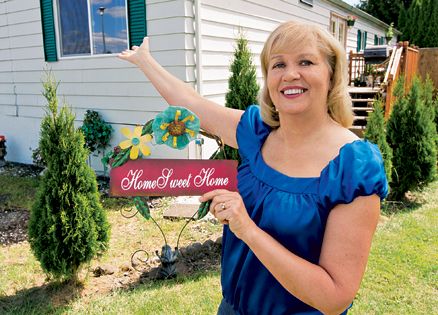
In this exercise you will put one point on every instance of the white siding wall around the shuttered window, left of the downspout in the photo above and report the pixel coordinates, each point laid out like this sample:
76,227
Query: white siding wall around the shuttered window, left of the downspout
114,88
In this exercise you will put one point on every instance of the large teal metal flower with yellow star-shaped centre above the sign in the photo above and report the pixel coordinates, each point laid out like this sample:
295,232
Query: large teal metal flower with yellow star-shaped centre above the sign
176,127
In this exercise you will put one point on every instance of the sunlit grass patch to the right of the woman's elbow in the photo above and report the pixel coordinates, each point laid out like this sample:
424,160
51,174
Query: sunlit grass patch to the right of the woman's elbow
402,273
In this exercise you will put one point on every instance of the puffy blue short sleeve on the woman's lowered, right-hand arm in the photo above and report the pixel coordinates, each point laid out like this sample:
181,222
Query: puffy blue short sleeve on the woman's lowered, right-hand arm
357,171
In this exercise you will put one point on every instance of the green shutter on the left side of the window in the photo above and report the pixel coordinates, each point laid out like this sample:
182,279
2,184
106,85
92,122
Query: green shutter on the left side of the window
48,24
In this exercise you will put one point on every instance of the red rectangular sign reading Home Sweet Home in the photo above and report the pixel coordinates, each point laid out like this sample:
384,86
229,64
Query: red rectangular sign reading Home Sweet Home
158,177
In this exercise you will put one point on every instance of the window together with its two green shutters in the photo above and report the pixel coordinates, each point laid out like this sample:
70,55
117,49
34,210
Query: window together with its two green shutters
91,27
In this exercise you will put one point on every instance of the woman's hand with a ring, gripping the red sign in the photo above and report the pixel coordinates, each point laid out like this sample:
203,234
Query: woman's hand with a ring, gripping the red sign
228,208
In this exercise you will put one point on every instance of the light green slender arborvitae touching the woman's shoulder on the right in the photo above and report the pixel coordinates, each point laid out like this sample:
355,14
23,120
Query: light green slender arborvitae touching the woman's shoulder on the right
376,133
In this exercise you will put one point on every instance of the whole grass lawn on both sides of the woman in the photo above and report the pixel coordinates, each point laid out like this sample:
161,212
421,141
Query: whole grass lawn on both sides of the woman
401,277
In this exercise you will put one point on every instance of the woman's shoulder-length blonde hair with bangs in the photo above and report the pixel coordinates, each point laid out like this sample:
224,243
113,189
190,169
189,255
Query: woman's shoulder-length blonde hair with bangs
294,34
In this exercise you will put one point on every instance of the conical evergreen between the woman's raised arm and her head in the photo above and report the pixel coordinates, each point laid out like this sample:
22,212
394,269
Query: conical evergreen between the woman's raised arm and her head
242,86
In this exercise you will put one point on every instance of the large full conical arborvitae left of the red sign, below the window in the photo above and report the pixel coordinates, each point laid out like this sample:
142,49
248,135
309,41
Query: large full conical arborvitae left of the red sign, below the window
68,225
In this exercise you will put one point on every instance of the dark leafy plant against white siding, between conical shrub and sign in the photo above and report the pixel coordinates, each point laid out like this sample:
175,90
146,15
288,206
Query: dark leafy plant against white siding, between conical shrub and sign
97,132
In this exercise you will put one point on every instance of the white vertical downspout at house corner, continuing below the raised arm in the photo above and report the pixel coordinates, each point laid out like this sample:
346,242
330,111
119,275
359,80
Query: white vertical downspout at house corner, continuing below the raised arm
198,66
